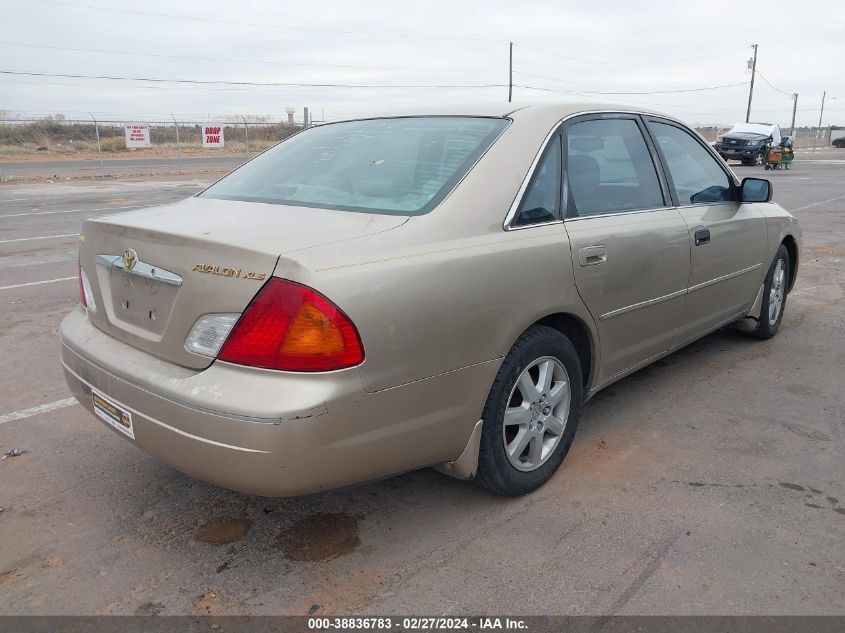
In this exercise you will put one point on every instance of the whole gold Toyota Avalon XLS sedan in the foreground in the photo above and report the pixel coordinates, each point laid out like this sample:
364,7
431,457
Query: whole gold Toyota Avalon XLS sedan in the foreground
439,289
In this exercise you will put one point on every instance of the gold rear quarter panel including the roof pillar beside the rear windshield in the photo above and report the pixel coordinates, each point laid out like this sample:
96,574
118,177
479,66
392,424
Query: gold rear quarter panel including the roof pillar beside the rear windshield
451,288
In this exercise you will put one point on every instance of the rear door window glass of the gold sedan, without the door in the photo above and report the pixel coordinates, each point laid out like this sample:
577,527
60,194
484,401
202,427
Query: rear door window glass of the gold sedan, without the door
610,168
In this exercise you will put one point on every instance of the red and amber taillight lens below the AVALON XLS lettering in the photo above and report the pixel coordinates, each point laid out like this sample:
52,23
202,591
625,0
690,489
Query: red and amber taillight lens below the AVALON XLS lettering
294,328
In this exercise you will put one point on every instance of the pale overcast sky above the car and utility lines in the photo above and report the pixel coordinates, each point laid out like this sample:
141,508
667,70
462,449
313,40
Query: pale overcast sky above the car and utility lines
572,50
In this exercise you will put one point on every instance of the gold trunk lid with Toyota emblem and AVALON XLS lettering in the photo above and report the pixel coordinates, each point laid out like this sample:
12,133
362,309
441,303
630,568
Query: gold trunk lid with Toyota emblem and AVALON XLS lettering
155,271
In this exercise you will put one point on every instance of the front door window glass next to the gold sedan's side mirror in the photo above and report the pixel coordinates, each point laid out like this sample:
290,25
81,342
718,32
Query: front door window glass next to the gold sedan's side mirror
697,176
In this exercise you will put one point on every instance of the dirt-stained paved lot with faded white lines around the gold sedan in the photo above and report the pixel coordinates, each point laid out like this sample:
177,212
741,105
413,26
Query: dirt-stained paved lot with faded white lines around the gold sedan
712,482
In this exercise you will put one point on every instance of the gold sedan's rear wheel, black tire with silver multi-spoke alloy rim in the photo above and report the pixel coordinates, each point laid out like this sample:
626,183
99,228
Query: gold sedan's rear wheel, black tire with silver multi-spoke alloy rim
545,423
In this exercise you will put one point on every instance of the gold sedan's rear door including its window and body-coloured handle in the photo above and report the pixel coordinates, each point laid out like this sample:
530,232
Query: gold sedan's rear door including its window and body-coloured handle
629,246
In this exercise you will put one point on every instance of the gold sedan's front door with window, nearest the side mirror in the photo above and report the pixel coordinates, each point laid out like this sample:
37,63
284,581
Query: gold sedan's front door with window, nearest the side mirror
727,239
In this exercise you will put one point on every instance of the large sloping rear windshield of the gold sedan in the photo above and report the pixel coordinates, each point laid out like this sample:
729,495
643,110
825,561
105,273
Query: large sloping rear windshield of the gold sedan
401,166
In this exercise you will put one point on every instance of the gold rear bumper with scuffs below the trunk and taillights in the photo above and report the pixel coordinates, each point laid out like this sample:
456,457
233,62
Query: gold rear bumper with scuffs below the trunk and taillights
275,433
